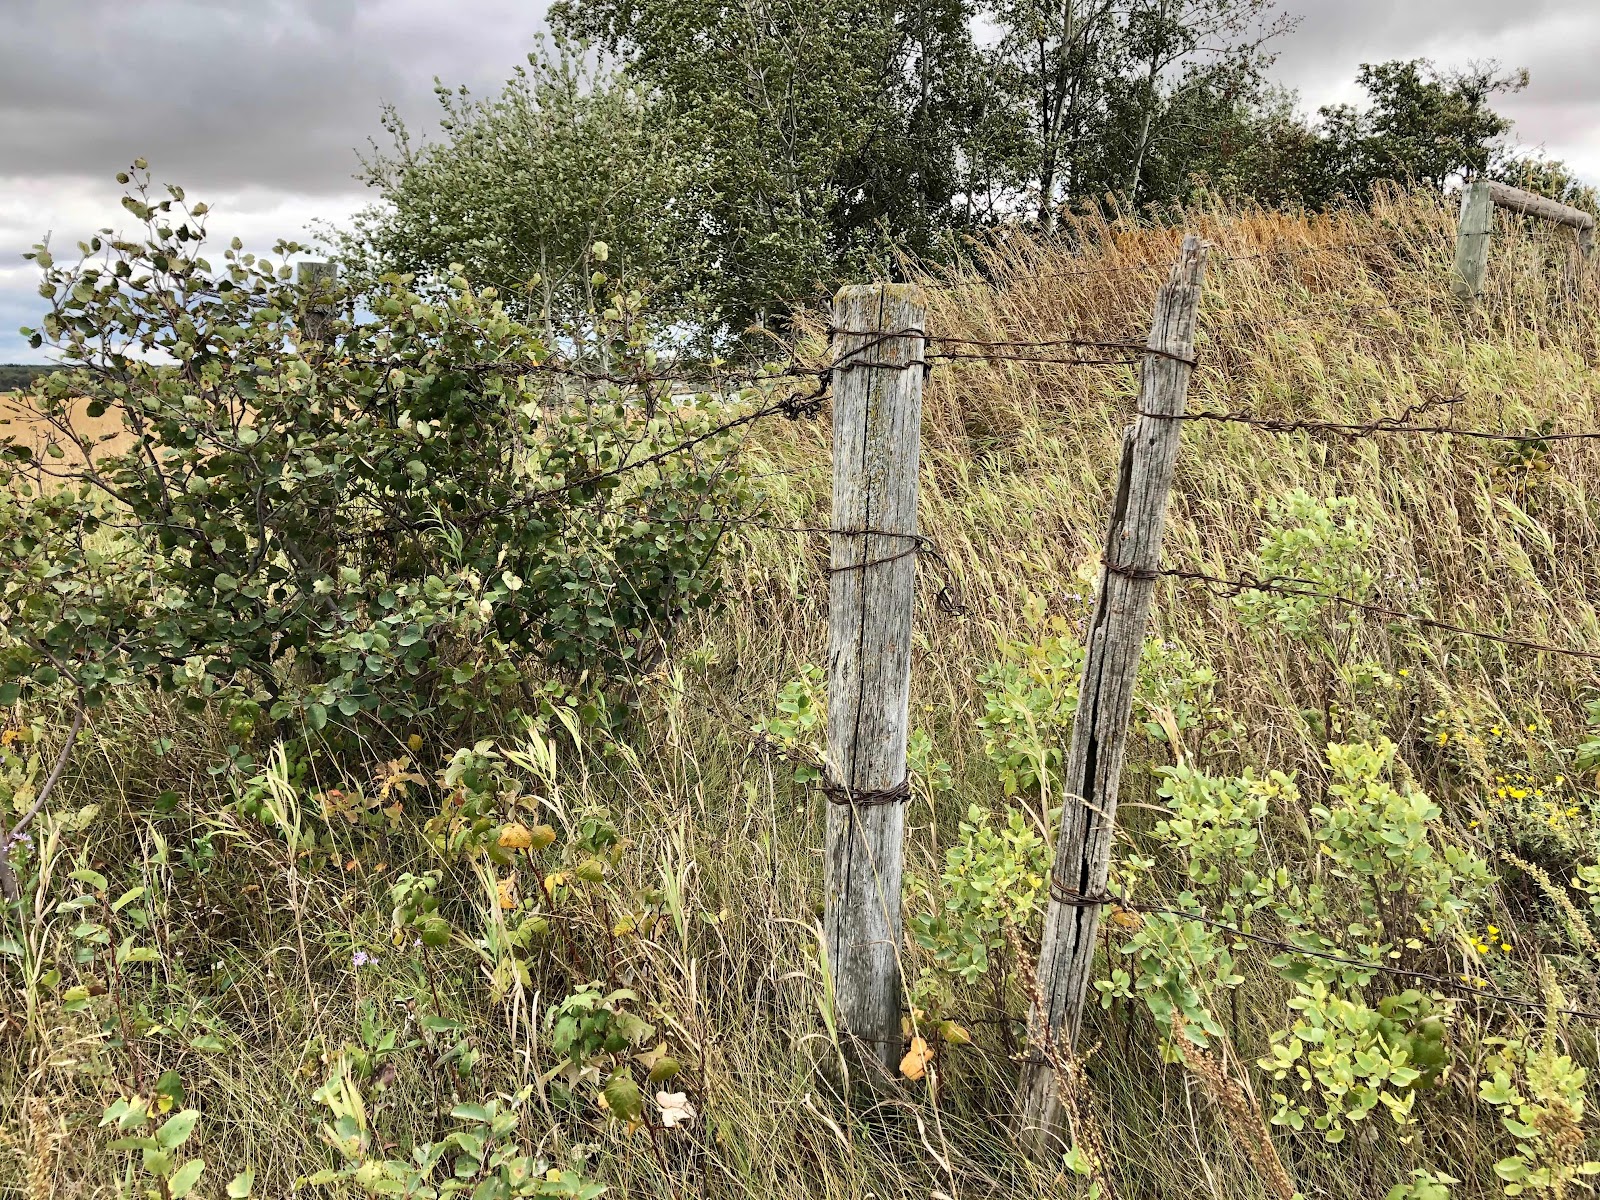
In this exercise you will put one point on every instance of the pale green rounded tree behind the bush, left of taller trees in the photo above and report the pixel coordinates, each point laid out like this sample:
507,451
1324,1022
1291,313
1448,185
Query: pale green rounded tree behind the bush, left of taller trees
524,185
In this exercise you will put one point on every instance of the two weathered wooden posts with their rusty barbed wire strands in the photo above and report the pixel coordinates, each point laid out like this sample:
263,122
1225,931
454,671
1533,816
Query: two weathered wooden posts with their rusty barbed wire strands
876,386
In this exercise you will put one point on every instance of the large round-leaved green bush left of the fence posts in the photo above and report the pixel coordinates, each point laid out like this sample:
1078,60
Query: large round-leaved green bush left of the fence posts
348,529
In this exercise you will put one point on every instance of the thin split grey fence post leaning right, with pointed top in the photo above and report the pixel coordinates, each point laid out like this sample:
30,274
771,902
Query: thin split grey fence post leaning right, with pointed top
1100,732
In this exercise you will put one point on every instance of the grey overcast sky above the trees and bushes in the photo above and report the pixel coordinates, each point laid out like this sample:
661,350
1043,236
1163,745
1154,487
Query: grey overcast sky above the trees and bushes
258,106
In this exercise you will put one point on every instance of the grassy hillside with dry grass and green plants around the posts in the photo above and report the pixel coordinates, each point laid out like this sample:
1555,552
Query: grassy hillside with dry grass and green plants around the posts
282,972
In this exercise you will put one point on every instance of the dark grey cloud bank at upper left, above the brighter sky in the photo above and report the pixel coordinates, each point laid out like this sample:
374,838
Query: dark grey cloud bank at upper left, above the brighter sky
233,92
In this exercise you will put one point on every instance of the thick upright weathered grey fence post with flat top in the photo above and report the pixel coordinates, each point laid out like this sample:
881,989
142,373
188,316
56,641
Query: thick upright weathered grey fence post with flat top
878,422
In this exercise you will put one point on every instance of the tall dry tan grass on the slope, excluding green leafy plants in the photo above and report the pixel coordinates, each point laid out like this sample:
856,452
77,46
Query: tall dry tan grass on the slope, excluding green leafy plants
1338,318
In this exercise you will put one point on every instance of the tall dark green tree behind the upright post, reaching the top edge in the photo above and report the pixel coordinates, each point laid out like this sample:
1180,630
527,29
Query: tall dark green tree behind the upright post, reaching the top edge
826,134
